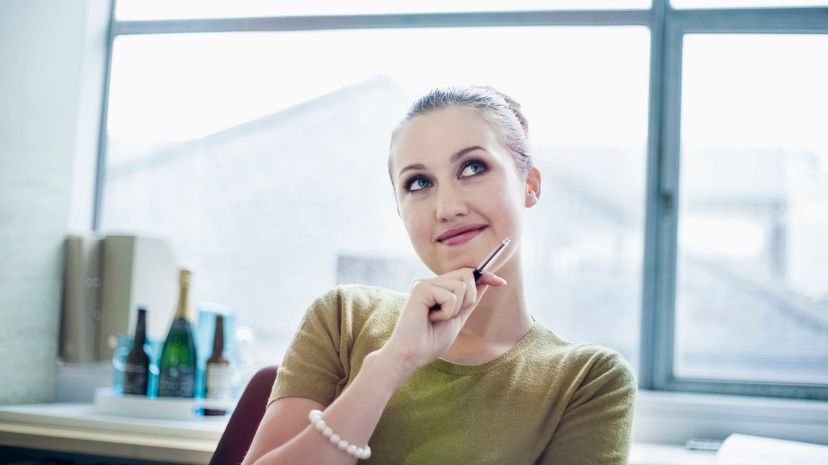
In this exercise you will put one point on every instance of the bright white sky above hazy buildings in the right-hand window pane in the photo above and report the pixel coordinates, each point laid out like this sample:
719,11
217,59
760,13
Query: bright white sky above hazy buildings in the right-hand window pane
763,91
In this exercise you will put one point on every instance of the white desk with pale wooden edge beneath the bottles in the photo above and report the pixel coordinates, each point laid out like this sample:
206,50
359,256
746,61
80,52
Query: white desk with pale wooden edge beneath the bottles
79,428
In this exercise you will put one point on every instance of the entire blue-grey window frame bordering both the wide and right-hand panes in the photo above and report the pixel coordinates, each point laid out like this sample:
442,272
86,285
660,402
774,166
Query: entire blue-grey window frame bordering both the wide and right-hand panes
667,28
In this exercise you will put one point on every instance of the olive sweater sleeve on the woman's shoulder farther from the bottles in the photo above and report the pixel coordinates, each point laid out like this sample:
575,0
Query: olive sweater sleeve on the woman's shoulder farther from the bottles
595,428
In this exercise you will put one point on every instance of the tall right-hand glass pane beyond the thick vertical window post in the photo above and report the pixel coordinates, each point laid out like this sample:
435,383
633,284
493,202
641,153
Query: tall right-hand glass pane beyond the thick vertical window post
752,298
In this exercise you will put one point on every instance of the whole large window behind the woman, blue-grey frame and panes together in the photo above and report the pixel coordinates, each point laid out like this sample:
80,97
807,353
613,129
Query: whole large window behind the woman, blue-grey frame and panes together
684,170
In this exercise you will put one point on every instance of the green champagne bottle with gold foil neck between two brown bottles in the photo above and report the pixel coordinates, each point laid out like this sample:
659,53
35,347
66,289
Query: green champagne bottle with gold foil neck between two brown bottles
178,356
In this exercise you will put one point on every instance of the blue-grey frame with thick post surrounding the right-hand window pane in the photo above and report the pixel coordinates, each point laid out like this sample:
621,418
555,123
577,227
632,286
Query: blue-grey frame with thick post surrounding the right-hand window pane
661,235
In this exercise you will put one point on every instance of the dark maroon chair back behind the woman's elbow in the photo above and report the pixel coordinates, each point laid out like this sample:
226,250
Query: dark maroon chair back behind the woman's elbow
245,420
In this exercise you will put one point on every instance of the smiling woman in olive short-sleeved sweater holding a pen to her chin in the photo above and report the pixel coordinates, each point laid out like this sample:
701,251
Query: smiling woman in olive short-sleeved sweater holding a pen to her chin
456,371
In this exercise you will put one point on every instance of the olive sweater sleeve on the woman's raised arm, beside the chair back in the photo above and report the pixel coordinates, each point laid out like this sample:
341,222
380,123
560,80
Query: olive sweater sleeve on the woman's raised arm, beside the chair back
311,367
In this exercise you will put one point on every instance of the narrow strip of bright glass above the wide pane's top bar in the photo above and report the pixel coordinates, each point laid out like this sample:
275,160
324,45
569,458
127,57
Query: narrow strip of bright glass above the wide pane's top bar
184,9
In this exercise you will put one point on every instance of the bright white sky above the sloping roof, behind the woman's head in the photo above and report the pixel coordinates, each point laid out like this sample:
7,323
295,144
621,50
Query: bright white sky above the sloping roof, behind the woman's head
570,80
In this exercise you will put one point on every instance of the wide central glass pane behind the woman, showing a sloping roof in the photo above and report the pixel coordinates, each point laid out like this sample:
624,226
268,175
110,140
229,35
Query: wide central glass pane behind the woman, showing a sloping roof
234,145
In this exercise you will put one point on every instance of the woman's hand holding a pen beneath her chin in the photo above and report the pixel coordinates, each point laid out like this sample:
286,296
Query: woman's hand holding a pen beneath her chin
422,334
